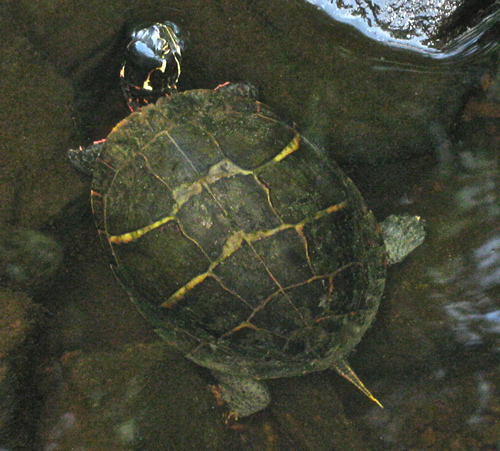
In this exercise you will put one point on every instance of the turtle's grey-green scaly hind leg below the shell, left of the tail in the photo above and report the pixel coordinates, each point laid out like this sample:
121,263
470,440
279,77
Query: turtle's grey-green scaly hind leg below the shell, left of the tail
243,395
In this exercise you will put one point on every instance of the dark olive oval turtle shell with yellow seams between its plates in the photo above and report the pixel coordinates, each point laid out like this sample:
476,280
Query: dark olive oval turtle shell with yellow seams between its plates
235,237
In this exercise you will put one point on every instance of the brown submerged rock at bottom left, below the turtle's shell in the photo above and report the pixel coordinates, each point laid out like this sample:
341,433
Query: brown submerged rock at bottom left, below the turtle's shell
140,397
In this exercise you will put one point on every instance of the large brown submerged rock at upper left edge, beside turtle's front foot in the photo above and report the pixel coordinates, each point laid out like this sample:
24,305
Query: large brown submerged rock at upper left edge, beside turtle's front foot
35,112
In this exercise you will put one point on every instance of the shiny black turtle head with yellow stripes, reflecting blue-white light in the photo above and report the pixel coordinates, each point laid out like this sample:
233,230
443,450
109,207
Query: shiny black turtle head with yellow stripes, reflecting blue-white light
152,64
